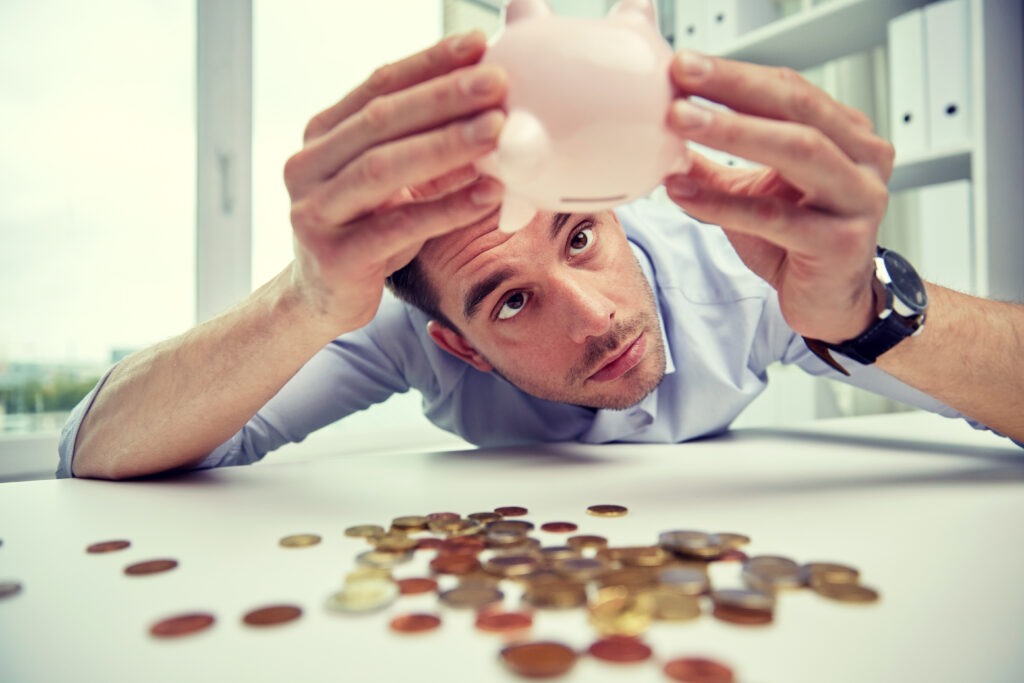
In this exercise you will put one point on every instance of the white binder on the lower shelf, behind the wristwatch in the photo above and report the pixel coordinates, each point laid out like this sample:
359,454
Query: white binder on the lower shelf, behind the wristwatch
946,236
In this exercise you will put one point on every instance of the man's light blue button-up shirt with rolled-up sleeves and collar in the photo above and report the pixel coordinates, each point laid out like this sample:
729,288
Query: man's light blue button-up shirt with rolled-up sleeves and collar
722,326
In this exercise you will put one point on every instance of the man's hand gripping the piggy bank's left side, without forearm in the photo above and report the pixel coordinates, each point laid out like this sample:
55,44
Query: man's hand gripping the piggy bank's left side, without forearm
388,168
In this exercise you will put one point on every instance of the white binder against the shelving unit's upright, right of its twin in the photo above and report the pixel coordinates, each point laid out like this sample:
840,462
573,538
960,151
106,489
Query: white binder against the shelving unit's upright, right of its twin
948,40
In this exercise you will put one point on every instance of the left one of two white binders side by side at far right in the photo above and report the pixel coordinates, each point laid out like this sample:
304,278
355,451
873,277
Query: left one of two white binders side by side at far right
909,86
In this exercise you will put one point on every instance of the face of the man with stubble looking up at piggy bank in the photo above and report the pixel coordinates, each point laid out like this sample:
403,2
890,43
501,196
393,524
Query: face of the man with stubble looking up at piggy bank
561,309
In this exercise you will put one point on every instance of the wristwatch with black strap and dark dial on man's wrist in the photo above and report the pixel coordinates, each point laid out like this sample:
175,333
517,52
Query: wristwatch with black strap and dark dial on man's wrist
906,302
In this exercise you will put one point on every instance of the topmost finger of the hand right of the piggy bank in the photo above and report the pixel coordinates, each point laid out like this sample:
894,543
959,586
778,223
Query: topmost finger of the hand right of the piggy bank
782,94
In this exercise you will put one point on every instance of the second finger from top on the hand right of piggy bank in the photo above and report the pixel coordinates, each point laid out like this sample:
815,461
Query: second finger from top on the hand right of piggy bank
805,157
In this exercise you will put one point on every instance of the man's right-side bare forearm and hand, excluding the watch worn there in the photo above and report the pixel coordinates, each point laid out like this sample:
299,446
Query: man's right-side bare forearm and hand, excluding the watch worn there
807,223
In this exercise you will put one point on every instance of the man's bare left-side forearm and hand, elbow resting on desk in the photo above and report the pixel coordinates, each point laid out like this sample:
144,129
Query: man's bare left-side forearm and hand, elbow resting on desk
381,173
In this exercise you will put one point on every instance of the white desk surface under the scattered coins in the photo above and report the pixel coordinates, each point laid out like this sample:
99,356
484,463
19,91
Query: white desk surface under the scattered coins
928,509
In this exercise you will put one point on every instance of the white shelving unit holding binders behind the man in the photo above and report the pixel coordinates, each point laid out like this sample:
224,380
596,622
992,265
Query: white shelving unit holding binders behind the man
994,163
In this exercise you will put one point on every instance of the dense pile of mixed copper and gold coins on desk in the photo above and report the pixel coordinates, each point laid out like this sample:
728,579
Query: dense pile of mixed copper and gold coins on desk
489,559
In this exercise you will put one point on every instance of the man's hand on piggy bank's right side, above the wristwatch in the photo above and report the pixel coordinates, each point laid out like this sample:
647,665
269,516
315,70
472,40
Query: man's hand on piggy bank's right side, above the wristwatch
808,221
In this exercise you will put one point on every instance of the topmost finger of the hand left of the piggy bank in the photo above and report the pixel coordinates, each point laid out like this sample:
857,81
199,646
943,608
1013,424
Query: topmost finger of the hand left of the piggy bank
447,56
